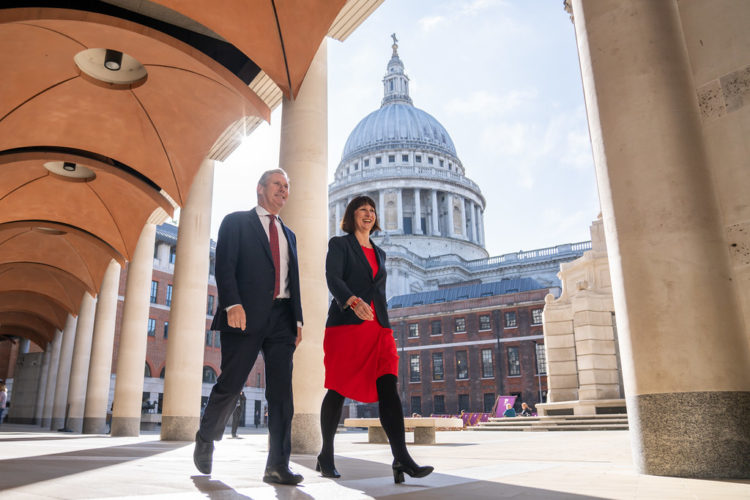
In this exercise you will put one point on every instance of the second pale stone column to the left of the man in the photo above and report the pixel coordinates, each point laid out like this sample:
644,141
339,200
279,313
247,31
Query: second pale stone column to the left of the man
131,357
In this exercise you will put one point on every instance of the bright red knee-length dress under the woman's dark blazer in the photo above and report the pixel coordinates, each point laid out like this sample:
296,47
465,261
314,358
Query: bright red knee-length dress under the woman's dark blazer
356,355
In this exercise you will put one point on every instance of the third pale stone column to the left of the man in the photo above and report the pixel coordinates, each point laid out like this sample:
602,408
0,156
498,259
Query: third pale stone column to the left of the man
100,366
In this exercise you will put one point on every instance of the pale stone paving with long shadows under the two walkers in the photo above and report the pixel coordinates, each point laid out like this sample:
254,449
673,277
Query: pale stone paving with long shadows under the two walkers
470,465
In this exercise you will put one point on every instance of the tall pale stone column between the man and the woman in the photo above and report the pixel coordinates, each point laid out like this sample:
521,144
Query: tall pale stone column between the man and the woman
304,156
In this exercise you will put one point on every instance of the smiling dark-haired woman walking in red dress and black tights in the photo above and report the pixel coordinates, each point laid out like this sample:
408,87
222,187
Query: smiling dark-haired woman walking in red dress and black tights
360,354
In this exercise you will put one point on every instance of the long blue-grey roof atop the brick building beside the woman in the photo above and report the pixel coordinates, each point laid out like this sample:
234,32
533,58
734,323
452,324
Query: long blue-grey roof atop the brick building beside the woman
465,292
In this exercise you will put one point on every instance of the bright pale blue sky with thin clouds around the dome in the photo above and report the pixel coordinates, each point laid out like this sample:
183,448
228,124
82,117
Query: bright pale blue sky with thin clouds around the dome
502,76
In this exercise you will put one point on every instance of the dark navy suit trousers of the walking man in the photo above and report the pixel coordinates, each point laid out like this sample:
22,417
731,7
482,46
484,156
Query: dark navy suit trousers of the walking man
238,355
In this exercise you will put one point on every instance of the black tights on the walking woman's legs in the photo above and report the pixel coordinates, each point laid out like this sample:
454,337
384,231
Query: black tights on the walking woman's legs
391,418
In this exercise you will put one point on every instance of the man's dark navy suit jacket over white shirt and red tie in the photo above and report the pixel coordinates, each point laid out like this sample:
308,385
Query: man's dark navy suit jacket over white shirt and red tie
245,273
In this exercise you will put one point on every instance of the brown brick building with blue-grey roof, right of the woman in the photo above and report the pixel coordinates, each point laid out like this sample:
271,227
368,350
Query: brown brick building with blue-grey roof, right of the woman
462,346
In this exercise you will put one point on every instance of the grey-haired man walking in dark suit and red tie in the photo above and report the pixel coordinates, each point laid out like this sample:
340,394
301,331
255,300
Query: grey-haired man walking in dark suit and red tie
257,277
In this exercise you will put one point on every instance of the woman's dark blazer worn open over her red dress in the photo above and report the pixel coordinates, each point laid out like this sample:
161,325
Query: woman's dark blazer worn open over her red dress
348,273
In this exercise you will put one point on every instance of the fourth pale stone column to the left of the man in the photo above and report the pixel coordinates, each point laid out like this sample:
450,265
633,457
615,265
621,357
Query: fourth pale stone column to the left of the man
80,367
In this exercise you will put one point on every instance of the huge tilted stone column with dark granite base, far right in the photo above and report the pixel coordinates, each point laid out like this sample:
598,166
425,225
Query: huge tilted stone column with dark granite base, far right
683,347
